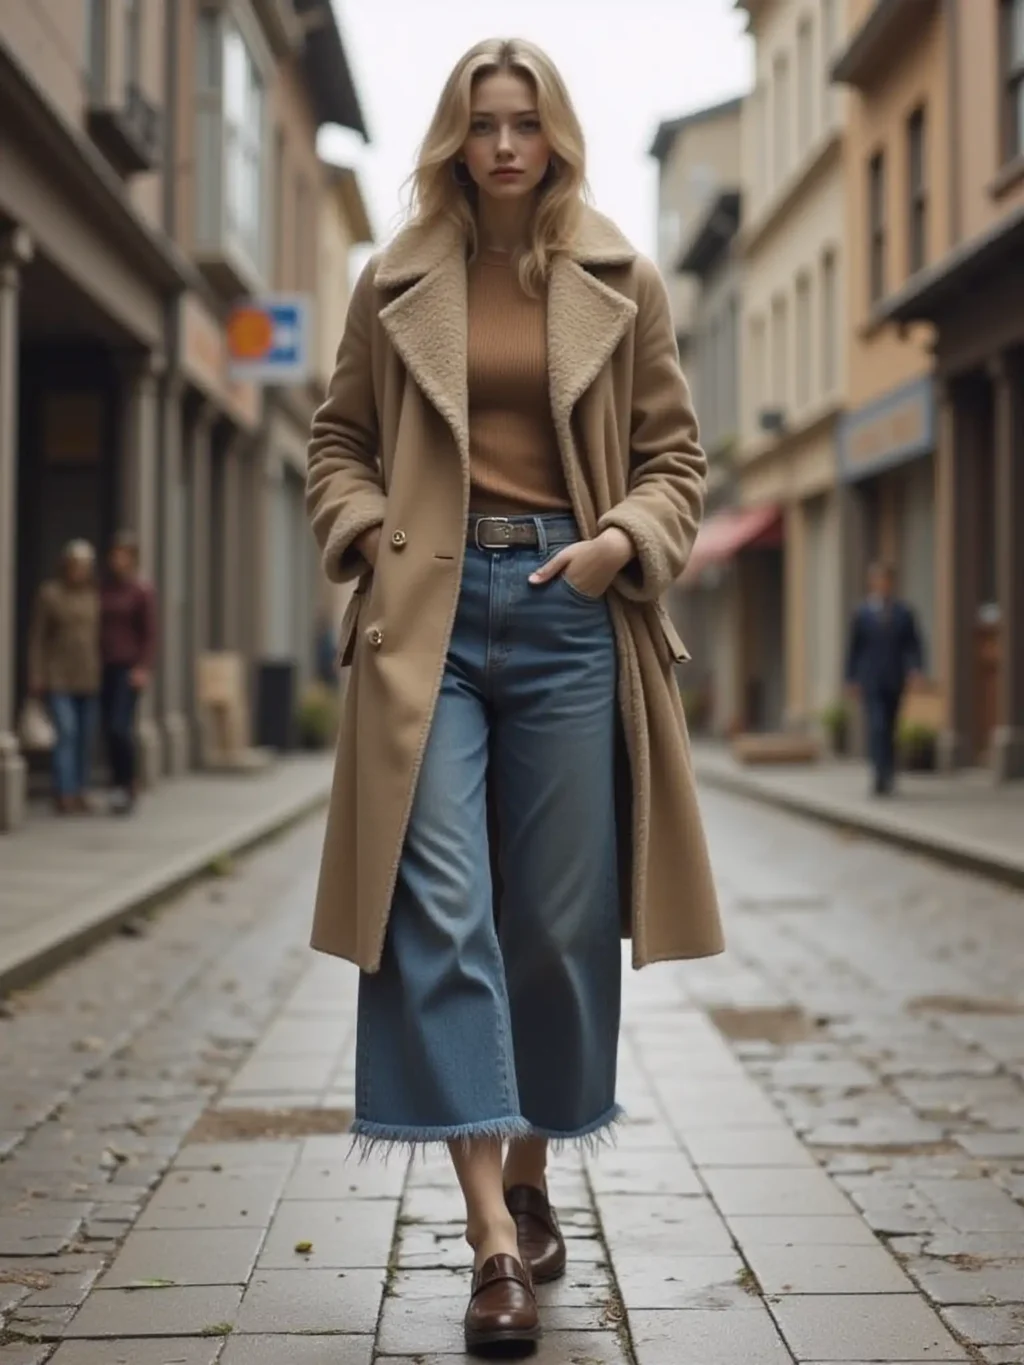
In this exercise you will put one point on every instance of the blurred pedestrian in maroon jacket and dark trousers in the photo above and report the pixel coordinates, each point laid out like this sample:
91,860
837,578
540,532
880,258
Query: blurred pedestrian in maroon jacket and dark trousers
128,649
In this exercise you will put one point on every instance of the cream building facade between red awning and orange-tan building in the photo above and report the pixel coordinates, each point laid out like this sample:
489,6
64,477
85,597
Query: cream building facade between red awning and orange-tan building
794,364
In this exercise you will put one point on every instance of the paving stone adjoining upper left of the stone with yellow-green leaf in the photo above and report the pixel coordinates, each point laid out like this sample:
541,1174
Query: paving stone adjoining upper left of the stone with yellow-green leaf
215,1199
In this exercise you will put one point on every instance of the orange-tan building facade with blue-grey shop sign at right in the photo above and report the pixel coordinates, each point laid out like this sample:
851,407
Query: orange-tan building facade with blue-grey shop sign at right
895,66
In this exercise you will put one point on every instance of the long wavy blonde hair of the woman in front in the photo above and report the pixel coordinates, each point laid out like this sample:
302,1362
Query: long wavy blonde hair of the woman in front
436,193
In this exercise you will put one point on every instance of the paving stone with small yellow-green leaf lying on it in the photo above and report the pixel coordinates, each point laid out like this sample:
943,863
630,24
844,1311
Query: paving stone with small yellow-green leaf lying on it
343,1235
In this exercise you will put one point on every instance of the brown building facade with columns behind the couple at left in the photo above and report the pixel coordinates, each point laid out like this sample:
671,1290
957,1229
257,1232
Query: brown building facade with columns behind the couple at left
158,166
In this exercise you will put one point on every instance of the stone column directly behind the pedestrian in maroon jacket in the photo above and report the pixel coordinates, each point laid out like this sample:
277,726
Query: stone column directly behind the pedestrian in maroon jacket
137,513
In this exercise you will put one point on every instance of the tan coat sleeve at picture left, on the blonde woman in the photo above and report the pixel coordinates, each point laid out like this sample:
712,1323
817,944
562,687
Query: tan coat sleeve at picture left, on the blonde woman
345,491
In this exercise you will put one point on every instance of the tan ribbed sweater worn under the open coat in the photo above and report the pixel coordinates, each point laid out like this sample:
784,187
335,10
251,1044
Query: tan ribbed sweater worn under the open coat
515,465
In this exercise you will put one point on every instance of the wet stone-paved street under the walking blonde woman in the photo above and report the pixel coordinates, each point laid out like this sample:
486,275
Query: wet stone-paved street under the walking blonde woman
824,1158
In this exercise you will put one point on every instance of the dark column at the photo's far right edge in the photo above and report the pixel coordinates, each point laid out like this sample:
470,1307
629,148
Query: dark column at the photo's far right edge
1008,407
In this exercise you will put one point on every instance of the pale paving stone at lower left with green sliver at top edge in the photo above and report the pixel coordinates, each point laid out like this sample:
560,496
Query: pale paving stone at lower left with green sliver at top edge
155,1312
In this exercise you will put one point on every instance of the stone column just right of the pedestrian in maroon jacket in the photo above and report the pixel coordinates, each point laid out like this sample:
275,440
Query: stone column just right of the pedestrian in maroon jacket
173,541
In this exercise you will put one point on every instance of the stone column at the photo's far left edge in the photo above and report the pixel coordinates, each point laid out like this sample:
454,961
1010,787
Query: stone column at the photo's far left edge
16,252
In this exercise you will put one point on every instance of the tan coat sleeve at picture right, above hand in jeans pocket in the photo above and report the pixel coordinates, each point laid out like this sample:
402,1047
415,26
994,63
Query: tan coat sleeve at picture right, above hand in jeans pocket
668,470
